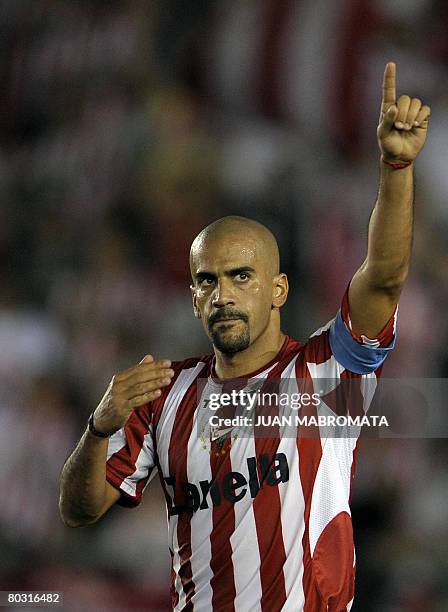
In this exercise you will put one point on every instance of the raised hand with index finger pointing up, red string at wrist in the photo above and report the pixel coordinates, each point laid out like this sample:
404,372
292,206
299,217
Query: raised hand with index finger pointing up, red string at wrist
403,125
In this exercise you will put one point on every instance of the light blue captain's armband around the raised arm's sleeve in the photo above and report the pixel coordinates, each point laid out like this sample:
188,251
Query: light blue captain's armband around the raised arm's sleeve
353,355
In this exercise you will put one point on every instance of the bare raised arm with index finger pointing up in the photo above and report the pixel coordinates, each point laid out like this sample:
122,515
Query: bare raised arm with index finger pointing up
376,286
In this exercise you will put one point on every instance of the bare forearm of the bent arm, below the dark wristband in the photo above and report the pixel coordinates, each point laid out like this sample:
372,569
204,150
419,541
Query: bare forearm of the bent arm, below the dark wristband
83,481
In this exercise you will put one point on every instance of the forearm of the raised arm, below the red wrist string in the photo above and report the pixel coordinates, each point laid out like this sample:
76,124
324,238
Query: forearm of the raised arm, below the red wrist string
390,229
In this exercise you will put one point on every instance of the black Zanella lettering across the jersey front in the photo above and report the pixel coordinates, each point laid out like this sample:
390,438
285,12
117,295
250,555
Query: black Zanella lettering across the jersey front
232,486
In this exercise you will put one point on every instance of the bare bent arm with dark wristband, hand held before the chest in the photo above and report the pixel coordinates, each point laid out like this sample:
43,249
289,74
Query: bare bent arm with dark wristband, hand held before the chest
85,495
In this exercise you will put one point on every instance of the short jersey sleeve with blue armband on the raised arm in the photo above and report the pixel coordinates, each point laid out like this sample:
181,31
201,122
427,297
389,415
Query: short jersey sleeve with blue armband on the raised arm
360,354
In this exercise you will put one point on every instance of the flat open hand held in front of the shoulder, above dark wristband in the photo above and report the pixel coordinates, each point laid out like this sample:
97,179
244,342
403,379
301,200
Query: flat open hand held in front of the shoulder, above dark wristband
129,390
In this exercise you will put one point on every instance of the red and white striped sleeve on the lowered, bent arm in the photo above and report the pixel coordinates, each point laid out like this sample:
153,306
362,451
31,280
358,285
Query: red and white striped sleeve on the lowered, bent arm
130,457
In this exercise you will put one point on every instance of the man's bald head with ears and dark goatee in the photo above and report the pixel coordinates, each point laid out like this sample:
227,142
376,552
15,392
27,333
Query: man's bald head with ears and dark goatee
237,288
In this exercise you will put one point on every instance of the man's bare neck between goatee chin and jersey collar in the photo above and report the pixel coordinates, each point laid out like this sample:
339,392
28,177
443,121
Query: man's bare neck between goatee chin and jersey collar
258,354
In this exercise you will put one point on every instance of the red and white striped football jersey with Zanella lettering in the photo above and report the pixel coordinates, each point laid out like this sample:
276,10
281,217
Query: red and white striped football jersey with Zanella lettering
253,523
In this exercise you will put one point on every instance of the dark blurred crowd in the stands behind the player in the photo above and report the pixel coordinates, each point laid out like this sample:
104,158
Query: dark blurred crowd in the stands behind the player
126,126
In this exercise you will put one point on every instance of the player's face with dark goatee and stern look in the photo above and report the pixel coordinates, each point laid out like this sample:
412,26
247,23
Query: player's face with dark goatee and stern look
232,291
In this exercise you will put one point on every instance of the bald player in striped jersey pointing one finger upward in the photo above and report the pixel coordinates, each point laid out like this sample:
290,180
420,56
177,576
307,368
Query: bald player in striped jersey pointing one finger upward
257,520
